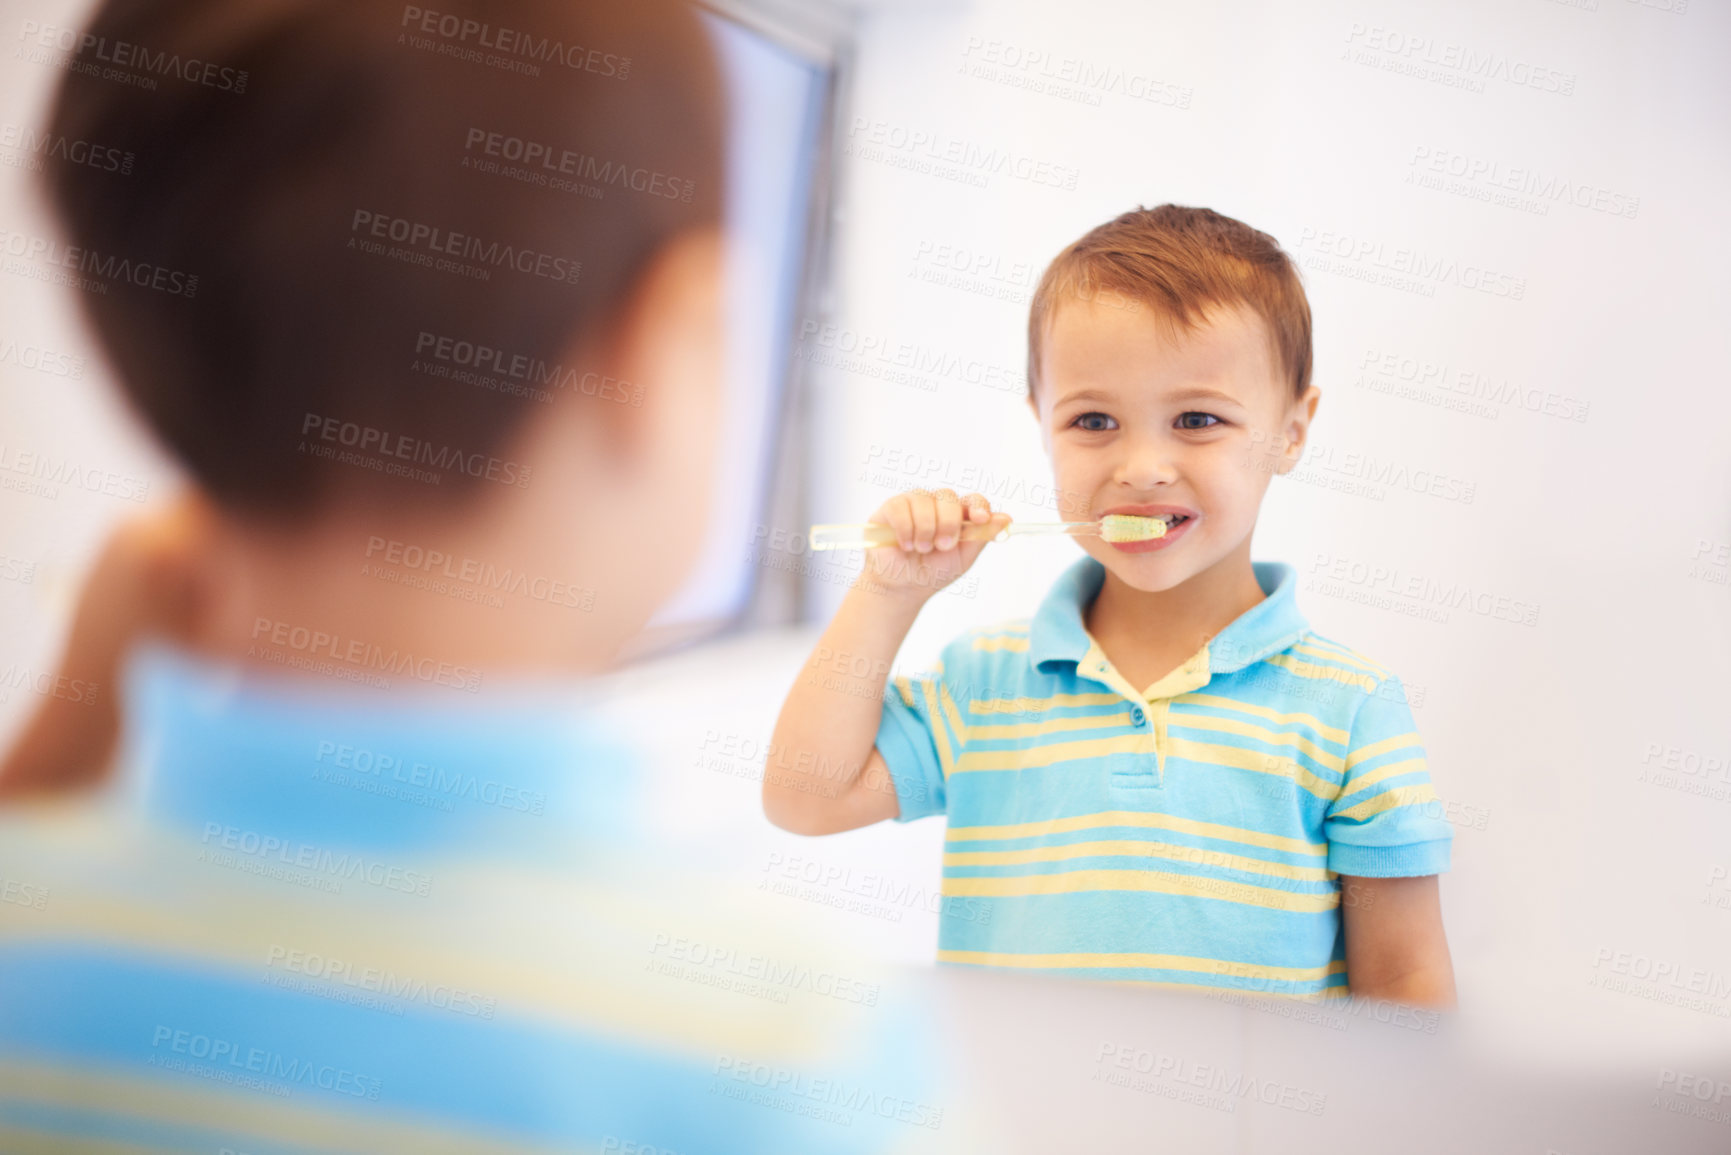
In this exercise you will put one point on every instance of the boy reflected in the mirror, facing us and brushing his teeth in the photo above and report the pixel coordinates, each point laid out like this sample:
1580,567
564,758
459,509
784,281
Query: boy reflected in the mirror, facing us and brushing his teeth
1164,777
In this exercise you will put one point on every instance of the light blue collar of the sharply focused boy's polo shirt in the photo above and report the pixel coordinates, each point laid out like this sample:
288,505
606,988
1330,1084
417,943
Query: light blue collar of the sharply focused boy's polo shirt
1271,626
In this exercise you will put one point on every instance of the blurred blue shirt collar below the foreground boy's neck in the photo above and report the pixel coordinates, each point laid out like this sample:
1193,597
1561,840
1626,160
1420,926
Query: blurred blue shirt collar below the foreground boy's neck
235,756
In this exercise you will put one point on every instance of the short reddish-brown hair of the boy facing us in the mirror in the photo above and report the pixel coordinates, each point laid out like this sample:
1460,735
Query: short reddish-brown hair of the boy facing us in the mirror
1180,262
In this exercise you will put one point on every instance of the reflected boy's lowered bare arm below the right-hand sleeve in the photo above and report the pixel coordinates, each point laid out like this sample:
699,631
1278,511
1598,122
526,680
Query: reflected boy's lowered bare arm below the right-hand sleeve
1396,948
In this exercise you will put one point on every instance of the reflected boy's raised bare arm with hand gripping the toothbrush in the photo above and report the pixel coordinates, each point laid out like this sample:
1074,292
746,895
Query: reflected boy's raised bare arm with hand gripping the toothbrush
825,773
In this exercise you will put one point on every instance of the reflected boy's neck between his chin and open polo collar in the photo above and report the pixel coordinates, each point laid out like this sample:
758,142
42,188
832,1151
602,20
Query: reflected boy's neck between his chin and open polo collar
1164,628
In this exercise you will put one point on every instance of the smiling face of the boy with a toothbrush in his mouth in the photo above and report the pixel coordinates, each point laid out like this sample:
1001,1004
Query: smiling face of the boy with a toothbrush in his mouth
1138,422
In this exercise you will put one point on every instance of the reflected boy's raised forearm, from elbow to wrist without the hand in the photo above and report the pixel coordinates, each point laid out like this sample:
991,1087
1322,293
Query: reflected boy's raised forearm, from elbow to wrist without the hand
828,725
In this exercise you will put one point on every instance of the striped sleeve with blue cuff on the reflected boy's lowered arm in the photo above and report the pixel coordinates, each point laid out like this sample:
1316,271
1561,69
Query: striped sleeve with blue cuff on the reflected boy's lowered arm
1387,822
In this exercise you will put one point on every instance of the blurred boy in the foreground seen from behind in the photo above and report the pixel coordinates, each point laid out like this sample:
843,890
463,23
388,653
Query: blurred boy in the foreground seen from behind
373,891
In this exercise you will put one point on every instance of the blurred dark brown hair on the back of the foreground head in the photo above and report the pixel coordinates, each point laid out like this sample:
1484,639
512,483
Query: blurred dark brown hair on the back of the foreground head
354,181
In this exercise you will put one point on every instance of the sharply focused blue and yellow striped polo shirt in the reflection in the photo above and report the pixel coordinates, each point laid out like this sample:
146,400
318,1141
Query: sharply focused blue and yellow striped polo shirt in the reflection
1187,834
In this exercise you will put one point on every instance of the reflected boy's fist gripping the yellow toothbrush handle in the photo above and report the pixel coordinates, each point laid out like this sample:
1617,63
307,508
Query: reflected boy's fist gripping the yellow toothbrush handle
929,553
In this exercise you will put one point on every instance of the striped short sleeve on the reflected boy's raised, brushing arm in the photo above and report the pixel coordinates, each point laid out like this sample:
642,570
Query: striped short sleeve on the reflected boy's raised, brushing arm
920,737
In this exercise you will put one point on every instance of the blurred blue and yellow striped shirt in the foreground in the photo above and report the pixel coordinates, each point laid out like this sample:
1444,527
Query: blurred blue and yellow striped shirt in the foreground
337,926
